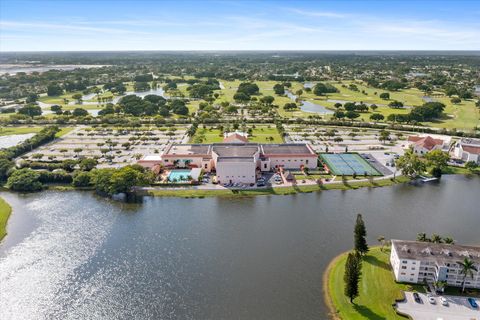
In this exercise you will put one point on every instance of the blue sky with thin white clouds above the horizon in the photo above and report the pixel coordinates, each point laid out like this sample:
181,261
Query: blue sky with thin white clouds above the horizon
99,25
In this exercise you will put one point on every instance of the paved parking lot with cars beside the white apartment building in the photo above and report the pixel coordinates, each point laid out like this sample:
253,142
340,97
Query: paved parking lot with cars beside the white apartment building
457,309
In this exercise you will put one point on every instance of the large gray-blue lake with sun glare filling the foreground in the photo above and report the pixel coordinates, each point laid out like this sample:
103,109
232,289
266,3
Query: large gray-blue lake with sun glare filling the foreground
73,255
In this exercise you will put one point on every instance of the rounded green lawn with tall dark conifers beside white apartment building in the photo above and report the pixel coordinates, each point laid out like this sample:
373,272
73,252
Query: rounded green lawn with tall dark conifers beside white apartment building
378,290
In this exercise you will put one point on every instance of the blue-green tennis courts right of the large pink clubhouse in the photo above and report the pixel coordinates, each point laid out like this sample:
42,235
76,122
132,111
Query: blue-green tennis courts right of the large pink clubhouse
348,164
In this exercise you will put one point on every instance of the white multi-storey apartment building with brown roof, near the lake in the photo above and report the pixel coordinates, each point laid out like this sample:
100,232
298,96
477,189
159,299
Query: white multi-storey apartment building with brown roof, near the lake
417,262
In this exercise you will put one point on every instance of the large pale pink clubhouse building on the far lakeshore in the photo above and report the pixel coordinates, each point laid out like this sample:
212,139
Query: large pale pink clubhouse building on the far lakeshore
235,162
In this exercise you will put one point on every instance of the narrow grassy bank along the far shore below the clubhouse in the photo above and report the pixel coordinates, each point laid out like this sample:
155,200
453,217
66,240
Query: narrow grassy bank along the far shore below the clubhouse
200,193
